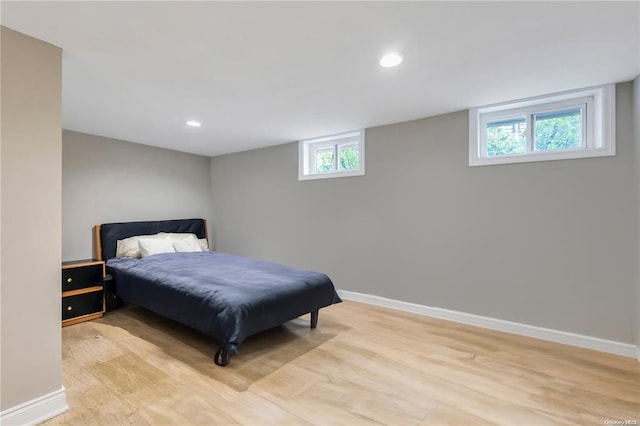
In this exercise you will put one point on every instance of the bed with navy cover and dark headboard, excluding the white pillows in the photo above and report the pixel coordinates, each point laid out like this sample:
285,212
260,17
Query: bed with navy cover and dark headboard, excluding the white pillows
227,297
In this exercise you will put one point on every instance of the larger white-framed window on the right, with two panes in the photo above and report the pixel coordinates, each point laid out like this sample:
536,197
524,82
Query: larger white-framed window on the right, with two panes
575,124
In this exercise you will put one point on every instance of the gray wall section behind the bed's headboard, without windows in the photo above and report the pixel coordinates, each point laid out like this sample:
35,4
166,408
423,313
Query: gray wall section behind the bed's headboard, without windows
107,180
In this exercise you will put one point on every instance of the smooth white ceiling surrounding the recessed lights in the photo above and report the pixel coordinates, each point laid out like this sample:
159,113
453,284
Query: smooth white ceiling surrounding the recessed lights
265,73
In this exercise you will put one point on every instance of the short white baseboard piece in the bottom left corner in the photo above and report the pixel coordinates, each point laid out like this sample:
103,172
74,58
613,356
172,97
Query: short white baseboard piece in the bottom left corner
35,411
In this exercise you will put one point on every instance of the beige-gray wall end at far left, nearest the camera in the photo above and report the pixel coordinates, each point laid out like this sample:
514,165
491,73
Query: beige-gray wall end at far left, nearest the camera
31,354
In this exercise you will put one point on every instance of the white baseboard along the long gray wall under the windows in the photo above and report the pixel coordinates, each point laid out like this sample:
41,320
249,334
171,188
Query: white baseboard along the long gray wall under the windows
557,336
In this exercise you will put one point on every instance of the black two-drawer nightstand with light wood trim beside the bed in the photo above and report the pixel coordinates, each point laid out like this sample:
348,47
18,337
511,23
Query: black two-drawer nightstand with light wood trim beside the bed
82,291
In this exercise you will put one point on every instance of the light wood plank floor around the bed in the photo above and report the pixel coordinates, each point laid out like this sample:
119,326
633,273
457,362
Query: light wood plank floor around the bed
362,365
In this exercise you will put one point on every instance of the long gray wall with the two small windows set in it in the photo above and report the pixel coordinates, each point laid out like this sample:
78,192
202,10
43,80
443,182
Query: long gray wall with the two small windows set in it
550,244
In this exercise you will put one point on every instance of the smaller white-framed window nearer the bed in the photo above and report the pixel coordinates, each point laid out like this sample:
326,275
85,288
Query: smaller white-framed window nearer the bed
331,156
